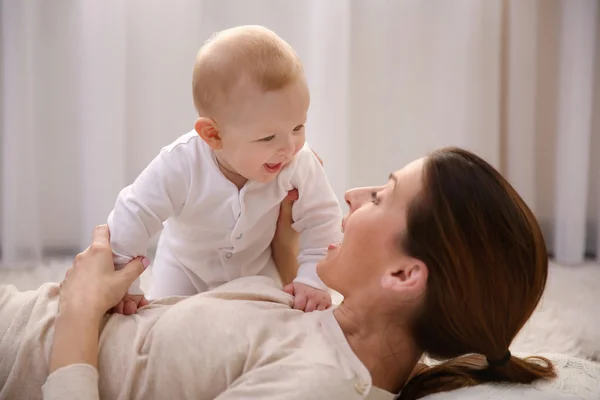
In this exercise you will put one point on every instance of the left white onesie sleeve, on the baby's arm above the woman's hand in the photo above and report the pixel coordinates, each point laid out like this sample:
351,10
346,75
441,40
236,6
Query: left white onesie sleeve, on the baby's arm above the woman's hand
158,193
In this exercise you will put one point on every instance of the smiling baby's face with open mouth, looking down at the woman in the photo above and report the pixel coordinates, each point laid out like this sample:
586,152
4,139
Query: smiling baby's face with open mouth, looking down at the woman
265,132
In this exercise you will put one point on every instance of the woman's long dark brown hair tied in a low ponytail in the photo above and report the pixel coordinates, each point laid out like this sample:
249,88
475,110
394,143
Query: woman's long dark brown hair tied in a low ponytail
487,265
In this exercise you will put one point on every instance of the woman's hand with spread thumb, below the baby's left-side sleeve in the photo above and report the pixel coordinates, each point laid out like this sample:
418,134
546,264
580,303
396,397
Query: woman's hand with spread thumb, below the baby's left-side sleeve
92,285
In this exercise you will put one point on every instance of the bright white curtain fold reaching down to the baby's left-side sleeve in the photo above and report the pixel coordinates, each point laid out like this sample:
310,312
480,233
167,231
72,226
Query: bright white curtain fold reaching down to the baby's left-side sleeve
102,139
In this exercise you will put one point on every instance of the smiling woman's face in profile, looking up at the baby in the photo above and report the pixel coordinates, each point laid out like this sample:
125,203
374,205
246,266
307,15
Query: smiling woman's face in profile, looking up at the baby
372,227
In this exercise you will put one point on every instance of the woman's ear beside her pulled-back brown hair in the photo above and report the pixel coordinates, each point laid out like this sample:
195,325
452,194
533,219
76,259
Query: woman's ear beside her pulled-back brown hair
408,275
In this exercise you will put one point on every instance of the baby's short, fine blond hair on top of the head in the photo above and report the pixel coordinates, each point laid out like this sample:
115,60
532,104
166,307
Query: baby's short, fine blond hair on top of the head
250,52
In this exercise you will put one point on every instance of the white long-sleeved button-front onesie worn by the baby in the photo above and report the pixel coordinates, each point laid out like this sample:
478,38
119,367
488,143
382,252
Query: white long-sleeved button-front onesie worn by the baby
213,232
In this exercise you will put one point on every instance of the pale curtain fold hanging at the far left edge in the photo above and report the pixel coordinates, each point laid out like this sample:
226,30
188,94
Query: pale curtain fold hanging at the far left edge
21,230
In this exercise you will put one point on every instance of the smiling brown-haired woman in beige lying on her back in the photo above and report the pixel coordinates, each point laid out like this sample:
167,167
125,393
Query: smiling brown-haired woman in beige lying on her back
444,259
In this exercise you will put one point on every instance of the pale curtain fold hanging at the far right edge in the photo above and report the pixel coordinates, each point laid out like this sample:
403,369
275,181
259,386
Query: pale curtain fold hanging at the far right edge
574,131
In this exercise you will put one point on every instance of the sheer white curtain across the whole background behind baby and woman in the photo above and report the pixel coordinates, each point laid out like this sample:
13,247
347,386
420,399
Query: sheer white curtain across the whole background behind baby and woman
91,90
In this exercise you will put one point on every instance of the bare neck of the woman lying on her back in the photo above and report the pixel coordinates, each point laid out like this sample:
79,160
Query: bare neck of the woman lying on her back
386,349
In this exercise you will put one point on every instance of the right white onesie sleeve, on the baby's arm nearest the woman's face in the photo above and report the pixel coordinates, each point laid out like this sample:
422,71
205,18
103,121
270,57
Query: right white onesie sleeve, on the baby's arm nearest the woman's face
317,216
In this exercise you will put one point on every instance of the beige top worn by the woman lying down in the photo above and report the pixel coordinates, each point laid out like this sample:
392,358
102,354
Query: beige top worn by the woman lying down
240,341
